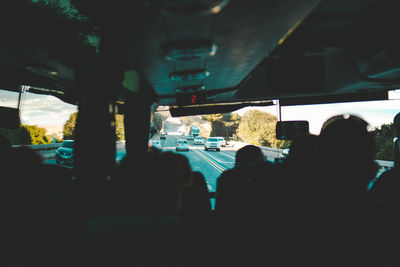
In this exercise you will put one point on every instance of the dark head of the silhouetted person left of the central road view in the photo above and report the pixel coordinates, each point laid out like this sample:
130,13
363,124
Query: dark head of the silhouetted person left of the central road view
155,183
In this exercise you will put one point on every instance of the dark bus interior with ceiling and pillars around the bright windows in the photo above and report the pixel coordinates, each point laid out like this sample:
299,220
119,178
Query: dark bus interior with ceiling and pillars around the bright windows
198,57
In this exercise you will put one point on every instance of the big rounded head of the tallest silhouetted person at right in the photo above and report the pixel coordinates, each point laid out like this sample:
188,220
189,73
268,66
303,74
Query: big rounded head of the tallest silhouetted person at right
346,151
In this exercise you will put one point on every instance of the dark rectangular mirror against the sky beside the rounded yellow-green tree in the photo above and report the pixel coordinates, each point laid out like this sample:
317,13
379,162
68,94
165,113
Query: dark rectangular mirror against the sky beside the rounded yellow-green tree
290,130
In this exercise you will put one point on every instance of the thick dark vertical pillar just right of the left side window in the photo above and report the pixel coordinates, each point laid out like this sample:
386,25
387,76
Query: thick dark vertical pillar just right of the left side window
95,137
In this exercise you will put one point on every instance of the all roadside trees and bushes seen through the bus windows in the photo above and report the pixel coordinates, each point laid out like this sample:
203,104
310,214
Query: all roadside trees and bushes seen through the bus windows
253,127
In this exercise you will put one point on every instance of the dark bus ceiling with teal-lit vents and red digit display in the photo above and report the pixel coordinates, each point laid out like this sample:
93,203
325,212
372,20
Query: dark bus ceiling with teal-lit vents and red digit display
205,52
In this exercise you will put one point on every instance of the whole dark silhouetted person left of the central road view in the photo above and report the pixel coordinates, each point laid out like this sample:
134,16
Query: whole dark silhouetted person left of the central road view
148,229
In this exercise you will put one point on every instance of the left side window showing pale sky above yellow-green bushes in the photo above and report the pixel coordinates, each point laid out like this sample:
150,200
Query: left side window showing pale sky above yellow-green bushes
45,121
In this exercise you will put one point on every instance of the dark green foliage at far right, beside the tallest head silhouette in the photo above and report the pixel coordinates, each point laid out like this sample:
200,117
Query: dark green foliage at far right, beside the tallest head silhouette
384,136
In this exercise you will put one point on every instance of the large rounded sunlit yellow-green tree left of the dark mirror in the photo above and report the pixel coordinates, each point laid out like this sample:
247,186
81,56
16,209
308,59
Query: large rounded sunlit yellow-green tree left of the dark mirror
258,128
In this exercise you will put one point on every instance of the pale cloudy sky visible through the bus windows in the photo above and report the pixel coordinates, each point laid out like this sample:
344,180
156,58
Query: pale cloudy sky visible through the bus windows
51,113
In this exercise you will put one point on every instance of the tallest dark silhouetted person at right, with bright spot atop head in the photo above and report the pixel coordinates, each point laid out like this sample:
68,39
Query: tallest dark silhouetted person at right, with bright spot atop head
346,152
